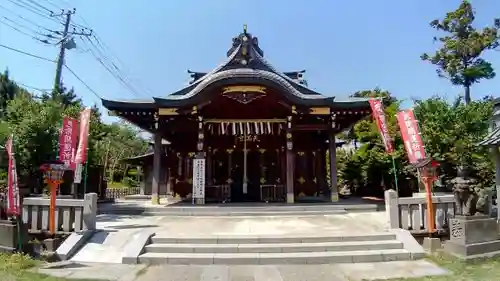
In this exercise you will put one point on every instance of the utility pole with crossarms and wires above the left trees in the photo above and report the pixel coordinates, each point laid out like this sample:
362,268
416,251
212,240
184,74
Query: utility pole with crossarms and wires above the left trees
66,42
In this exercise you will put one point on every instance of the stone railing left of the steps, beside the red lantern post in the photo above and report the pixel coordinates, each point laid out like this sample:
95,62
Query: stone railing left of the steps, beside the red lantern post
71,215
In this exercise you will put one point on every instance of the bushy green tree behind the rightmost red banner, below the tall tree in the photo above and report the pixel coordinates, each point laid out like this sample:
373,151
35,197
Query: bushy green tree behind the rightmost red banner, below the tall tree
451,131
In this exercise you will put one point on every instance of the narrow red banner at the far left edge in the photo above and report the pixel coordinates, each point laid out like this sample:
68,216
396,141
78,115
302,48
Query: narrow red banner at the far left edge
13,200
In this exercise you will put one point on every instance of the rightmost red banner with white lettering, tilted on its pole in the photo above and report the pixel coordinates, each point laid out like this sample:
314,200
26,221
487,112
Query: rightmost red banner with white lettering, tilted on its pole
411,136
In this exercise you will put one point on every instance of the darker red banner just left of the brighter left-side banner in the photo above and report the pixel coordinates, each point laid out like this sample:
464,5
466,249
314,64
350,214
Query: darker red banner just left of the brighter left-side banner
68,139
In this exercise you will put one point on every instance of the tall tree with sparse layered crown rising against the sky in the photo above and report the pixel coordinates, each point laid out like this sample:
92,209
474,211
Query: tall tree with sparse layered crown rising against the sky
458,59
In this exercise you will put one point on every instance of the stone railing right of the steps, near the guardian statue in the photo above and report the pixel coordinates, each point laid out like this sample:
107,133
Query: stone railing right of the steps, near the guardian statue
410,213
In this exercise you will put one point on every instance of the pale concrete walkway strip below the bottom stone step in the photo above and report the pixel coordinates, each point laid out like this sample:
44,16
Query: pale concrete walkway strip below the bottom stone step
327,272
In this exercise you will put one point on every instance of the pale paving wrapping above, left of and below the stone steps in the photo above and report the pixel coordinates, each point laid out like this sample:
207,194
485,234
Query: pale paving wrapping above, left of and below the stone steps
101,257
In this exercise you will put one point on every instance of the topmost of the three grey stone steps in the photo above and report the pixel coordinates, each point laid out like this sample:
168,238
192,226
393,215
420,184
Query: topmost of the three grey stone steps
160,239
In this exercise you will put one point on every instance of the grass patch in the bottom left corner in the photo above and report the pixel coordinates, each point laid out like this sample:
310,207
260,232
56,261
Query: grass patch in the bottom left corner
17,267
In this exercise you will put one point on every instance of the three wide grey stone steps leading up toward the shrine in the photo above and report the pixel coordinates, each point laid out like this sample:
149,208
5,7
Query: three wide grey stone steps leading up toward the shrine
236,250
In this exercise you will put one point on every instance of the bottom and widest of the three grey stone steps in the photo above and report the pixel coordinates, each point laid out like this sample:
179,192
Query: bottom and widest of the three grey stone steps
275,258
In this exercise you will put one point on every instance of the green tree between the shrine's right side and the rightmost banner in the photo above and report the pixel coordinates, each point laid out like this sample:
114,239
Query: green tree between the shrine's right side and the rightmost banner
368,170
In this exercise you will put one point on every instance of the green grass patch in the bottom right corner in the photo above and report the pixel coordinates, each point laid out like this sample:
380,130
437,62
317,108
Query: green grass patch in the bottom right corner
487,269
